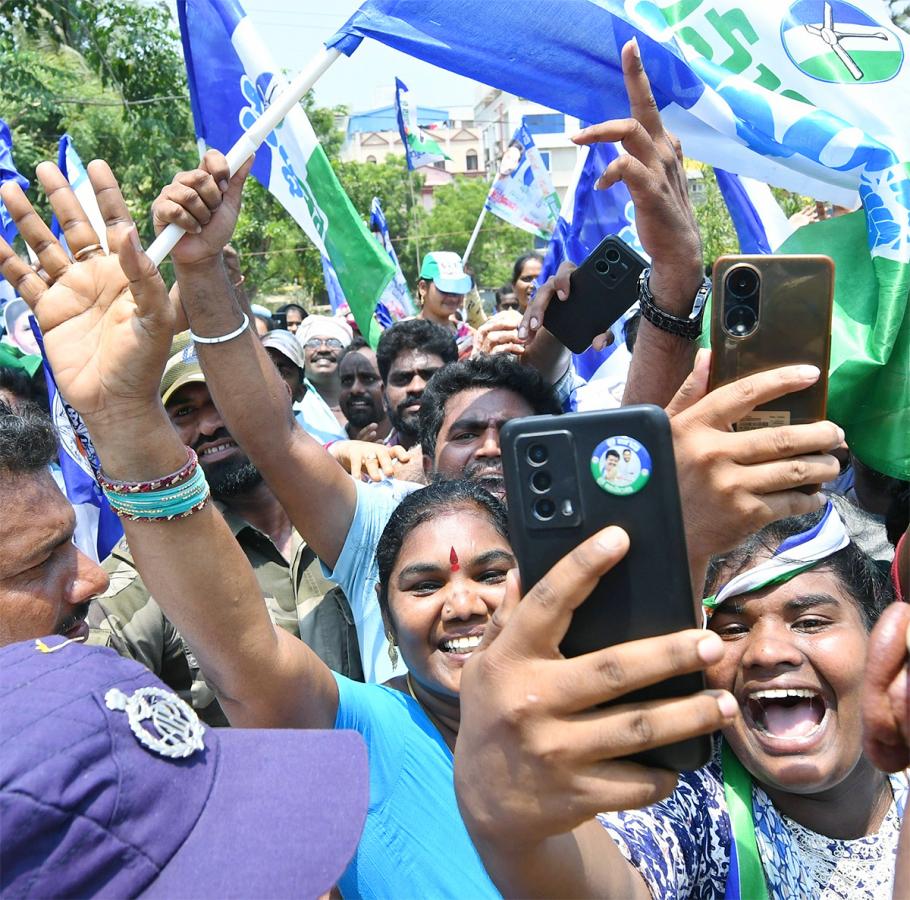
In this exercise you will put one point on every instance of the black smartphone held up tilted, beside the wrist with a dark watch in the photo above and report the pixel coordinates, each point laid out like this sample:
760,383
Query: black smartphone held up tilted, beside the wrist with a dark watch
601,289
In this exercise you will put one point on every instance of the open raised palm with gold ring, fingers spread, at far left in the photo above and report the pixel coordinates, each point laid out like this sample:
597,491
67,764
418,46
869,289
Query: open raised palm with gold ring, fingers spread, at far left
107,320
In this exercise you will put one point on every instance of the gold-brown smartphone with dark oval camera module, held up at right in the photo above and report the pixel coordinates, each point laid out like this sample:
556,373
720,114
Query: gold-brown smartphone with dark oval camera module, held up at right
771,311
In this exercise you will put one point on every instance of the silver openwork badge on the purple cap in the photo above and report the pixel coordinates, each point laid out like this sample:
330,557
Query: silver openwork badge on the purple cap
177,730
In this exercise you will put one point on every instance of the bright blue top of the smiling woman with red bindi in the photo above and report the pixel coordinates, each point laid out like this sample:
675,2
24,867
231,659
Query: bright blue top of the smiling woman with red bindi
414,842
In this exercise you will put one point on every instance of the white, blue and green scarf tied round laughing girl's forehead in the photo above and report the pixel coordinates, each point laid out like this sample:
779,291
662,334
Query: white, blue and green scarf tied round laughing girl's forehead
794,556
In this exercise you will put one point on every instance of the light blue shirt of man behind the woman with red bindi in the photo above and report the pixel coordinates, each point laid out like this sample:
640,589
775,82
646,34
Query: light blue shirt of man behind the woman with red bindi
357,573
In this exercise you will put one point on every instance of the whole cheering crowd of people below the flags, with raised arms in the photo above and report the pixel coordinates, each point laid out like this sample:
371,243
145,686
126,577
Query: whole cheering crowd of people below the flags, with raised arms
316,540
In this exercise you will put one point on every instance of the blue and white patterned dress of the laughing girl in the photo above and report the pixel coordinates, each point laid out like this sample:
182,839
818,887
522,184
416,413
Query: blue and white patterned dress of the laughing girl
682,846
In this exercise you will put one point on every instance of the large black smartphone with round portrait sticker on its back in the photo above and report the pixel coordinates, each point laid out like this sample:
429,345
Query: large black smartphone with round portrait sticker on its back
569,476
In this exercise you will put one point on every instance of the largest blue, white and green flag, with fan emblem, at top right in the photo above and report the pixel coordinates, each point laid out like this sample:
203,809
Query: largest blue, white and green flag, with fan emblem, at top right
802,94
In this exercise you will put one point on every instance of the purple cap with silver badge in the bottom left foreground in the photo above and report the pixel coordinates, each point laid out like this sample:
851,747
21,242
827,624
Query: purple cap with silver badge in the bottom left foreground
110,786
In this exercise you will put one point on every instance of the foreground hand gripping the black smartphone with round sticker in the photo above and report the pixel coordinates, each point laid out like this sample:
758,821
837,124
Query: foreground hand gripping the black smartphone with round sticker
536,754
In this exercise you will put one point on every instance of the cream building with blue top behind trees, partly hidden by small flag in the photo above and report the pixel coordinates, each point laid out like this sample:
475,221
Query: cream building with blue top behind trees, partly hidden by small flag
371,136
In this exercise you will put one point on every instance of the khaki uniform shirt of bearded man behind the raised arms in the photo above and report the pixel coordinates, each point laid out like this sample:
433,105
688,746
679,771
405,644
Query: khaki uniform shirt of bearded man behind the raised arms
299,599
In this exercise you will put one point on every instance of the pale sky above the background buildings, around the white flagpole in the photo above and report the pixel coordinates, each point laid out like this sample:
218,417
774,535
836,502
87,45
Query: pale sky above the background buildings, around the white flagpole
294,30
